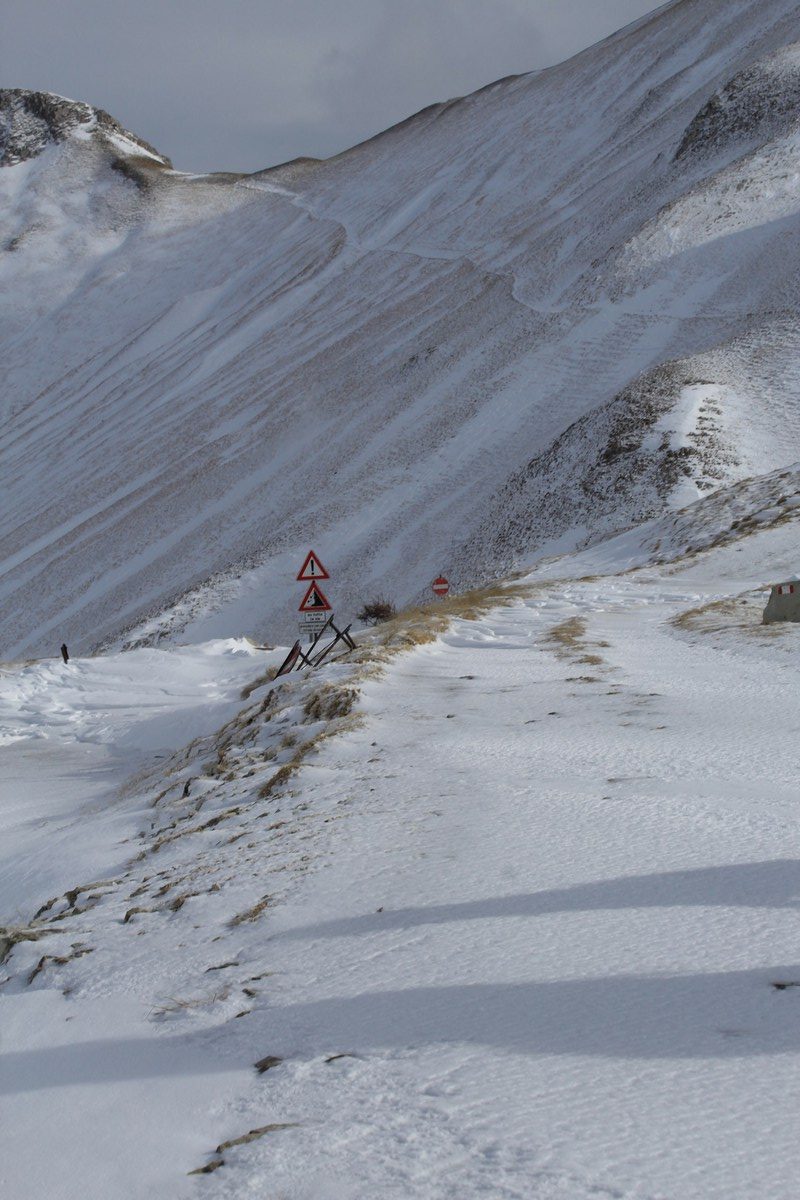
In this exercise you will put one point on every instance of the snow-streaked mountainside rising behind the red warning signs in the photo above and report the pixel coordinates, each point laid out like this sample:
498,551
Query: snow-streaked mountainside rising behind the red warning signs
520,320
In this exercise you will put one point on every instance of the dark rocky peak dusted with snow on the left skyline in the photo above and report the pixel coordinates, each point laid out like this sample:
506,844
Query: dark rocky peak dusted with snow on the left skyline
33,121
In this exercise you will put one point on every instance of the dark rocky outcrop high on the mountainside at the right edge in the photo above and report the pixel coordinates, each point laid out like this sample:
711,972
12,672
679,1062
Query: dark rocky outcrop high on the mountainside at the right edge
756,105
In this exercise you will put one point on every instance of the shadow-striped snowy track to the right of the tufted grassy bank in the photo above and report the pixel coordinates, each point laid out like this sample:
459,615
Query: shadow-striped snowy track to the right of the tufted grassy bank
527,927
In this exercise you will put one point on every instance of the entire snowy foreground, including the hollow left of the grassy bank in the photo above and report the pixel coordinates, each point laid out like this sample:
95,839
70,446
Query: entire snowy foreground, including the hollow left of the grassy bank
514,916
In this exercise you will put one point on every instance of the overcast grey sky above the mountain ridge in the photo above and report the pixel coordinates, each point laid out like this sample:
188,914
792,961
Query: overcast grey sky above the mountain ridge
242,85
